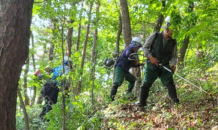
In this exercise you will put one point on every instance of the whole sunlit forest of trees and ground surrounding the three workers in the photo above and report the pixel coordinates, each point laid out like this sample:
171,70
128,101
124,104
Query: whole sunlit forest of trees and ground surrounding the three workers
40,34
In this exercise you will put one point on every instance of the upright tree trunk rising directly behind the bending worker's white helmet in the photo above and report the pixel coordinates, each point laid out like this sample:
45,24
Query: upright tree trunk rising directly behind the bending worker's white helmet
126,27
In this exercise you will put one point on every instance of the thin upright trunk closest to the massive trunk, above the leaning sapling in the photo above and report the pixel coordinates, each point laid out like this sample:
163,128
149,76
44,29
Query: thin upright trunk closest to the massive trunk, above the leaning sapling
25,82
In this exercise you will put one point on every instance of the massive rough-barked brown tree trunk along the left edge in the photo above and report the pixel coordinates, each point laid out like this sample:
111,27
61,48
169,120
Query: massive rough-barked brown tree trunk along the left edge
15,20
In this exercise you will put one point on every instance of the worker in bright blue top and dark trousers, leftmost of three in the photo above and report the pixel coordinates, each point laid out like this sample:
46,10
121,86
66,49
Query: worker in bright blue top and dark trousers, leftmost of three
50,89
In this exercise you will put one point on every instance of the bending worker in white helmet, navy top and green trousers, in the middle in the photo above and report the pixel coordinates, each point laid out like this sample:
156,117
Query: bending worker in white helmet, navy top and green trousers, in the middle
123,66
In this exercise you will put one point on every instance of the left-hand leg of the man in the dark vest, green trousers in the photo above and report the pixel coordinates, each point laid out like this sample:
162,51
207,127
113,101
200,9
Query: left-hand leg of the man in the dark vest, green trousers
149,77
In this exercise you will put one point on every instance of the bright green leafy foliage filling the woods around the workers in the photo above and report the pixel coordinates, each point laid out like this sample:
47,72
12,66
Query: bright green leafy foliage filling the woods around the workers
194,19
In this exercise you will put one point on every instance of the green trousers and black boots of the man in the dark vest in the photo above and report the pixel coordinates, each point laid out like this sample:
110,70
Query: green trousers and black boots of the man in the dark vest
150,76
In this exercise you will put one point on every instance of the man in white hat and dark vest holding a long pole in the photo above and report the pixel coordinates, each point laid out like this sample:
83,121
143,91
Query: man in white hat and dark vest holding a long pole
159,48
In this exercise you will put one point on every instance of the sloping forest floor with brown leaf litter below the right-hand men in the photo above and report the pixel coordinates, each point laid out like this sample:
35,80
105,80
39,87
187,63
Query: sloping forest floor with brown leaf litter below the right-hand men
161,113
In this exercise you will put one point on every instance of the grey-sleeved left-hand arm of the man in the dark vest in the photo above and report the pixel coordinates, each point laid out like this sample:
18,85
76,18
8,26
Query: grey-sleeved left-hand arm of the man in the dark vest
148,42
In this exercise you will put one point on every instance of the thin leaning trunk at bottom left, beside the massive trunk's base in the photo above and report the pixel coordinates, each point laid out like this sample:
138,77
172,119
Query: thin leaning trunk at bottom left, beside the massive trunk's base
26,117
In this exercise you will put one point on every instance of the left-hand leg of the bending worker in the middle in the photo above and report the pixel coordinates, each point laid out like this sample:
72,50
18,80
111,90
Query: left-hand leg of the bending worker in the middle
118,80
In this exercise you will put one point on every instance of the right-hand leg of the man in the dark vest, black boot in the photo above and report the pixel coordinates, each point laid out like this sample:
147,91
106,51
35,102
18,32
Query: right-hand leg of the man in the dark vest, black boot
167,80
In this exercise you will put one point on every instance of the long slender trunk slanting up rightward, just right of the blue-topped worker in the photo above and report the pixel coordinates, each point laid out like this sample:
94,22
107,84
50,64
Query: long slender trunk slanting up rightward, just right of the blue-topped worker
84,49
